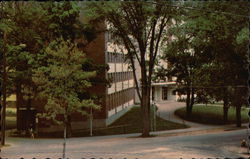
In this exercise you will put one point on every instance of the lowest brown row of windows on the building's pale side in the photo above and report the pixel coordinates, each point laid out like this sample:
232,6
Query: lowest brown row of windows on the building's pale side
119,98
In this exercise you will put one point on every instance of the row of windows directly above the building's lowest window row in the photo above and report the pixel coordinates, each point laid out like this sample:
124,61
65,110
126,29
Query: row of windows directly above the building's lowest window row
120,76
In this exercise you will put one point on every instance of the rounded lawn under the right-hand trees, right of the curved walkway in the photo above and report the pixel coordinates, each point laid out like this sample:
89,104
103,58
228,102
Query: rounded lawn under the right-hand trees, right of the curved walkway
212,114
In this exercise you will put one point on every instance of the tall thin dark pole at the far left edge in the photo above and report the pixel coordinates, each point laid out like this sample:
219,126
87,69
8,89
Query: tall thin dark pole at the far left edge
3,113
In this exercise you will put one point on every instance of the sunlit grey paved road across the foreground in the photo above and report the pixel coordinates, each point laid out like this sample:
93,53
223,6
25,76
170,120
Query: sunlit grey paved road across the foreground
218,144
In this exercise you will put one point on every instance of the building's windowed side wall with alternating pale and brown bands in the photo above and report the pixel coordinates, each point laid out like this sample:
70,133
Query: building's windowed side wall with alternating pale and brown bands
121,93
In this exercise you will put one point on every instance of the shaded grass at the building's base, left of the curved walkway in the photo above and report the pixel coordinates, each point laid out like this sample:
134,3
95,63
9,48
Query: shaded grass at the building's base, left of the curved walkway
129,123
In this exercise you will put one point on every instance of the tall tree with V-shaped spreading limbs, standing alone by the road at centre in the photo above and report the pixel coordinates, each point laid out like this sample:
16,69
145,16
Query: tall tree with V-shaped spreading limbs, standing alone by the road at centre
138,26
